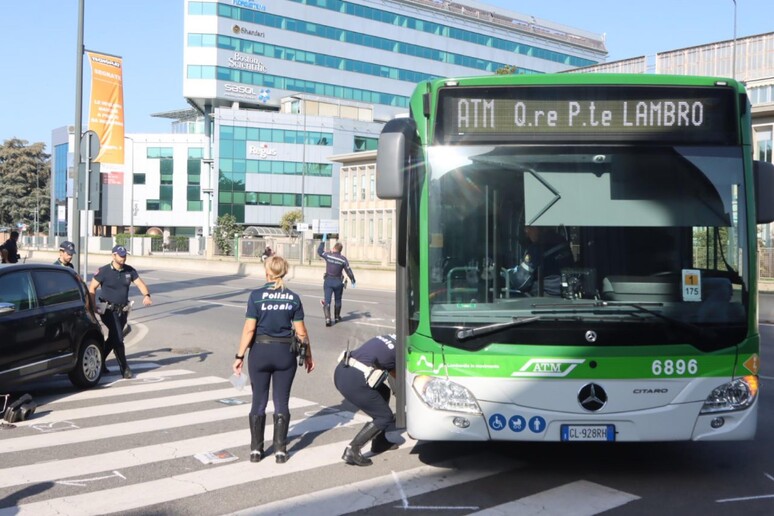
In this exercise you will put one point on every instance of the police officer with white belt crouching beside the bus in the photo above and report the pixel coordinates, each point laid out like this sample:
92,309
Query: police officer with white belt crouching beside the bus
360,378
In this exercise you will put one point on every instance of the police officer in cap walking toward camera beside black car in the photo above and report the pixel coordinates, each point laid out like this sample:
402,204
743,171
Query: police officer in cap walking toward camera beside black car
114,279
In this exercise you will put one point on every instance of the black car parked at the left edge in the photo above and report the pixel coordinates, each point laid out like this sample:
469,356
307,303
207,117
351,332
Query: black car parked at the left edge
45,326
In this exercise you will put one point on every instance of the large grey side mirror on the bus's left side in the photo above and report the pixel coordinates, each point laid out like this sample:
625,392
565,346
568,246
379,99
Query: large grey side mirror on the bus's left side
392,157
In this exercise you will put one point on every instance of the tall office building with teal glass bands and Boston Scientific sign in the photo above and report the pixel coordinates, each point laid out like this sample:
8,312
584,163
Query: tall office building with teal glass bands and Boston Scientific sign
288,83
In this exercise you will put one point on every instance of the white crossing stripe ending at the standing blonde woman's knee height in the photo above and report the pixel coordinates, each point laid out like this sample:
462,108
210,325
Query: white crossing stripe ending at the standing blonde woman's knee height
133,406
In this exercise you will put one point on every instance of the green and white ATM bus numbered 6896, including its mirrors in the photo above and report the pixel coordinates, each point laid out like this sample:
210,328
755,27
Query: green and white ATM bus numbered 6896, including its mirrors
648,330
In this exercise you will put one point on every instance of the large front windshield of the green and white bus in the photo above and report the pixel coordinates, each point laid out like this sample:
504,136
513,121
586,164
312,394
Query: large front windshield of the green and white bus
587,234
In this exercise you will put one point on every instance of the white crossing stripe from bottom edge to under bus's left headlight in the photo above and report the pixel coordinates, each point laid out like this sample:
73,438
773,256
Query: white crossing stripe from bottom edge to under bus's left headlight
388,489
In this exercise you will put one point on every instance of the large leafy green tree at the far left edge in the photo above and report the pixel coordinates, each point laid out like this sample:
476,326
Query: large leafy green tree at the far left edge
24,183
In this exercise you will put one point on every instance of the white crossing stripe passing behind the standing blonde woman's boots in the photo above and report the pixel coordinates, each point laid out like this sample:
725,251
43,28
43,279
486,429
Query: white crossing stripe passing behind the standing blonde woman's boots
92,464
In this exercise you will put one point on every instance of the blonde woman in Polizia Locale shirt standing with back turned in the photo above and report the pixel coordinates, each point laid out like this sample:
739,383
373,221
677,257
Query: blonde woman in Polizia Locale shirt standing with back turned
273,314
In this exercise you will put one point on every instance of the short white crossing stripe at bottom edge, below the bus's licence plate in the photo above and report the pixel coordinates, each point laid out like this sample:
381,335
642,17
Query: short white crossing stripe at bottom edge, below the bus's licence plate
581,498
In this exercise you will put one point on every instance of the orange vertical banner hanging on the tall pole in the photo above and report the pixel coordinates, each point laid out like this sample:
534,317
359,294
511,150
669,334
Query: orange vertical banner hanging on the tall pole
106,109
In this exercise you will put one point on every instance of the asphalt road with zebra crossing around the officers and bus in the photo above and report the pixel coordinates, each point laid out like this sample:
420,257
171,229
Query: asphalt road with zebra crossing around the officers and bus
128,451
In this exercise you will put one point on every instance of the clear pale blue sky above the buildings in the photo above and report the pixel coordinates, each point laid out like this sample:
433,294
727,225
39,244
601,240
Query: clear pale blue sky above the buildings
38,53
